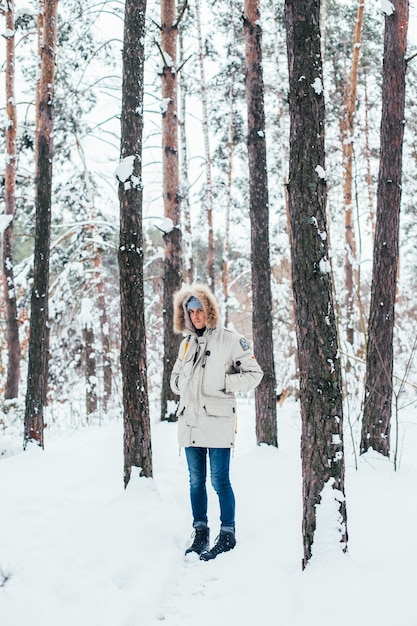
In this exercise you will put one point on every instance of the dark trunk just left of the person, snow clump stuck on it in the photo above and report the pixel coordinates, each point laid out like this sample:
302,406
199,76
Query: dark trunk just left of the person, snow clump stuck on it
136,420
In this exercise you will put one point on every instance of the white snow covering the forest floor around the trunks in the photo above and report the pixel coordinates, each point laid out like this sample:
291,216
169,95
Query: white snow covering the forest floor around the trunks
82,551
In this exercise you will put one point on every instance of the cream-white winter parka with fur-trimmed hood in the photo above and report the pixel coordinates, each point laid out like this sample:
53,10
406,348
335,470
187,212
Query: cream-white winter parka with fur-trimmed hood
209,371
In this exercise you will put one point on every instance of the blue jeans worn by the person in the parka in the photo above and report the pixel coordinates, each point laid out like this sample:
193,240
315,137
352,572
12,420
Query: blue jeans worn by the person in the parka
219,474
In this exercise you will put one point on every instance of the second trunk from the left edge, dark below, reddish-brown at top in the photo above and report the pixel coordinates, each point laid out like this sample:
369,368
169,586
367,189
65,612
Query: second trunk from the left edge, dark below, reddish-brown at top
39,330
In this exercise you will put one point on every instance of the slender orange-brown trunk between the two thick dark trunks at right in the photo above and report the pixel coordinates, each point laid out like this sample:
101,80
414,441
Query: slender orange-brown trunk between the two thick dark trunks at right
347,127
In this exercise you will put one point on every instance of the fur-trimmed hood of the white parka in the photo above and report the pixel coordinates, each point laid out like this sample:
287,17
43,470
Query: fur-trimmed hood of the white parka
182,322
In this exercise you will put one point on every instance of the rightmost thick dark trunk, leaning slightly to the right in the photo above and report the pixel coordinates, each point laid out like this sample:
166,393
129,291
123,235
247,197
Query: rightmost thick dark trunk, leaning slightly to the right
379,358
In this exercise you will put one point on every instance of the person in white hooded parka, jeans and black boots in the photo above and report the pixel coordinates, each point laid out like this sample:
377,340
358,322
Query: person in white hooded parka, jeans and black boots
213,365
